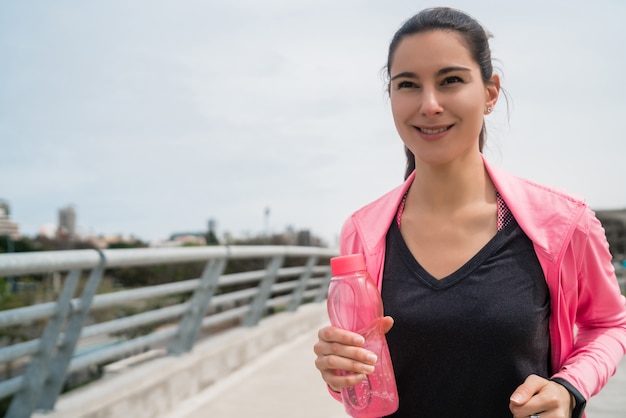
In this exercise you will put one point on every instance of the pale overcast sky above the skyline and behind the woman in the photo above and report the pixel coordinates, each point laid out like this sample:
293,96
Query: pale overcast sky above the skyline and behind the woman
152,117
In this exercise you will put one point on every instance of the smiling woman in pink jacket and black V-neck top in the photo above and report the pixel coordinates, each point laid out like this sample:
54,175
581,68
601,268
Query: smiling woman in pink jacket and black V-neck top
485,275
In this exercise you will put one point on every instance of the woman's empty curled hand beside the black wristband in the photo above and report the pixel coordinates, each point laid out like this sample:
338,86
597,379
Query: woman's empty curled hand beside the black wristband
541,396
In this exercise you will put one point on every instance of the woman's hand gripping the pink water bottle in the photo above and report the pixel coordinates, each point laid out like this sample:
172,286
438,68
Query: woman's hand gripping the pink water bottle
339,351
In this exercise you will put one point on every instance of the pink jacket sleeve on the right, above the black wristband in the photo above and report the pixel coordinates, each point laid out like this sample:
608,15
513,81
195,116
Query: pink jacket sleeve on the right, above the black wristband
594,299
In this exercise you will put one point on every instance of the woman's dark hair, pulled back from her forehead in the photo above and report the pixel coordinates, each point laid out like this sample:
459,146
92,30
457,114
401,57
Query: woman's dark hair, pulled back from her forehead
475,37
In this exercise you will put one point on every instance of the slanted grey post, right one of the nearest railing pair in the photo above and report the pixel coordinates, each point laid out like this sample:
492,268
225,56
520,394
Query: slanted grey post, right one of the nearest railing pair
58,369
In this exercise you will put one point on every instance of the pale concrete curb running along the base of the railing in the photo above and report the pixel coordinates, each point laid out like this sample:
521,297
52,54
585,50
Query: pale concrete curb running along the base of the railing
162,385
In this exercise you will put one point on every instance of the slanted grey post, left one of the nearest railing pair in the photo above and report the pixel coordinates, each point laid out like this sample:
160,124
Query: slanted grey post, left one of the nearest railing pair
37,371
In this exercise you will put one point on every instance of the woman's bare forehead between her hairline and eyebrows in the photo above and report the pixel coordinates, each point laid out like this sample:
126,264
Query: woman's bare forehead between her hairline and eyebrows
433,49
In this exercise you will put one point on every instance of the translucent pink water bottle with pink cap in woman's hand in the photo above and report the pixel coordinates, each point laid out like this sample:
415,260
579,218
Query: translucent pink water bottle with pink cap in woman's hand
354,304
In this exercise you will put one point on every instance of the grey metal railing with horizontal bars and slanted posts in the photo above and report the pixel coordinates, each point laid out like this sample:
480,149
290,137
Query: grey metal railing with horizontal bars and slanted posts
201,304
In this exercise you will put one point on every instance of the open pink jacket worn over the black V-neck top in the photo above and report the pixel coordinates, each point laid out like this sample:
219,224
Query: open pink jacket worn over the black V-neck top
572,249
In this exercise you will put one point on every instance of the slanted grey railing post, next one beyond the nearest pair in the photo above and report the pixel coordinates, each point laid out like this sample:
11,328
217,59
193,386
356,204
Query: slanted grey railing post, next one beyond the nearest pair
191,323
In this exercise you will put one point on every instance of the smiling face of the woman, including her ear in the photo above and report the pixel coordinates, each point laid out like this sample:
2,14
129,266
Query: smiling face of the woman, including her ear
430,72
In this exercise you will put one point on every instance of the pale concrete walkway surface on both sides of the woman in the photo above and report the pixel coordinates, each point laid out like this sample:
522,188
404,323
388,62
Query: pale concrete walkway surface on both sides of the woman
284,383
